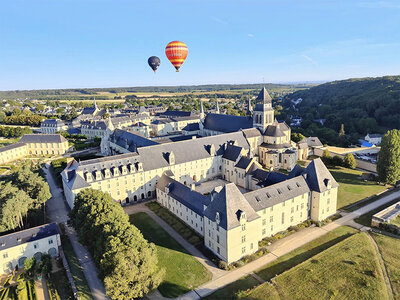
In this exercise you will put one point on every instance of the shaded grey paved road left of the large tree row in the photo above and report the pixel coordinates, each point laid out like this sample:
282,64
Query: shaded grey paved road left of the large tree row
58,210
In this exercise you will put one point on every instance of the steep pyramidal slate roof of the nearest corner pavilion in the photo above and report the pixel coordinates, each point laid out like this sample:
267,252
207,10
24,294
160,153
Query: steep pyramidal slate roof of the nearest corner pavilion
229,203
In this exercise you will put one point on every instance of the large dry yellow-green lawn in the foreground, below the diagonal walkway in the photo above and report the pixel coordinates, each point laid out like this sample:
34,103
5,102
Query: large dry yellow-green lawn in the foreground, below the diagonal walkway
344,271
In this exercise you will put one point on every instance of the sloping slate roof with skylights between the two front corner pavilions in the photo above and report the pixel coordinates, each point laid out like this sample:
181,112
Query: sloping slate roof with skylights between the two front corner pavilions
277,193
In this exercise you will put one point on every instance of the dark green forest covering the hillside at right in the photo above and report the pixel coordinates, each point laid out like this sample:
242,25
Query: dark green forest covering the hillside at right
351,108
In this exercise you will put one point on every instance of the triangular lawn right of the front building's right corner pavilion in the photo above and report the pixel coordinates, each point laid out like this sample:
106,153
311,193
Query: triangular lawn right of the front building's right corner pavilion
351,188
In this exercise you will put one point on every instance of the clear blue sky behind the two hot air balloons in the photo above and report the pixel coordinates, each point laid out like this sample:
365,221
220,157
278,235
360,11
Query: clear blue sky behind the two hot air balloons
68,44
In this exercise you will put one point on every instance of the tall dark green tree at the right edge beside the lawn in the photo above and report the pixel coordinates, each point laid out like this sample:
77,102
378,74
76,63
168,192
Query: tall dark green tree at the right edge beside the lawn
388,166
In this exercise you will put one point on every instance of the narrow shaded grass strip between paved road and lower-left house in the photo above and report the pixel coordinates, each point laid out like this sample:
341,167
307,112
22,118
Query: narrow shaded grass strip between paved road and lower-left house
76,269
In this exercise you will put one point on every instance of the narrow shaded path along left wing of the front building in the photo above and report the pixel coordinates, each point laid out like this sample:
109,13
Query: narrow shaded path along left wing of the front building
215,271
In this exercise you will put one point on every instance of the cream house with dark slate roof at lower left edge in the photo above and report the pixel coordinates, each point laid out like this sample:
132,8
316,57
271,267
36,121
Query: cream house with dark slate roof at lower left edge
16,247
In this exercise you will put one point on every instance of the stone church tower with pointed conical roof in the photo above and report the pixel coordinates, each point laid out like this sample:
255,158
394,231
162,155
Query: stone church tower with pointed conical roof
263,113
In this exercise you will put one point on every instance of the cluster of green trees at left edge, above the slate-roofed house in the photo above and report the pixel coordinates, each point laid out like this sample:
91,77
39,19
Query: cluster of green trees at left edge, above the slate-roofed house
21,192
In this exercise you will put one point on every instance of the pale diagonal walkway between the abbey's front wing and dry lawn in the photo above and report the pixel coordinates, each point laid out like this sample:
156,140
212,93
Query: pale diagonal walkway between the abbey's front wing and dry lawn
285,246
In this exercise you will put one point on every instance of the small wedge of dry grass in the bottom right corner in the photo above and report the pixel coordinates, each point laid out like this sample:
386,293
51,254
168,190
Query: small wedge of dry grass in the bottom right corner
389,248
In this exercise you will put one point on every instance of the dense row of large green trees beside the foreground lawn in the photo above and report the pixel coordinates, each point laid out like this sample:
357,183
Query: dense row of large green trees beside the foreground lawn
126,261
